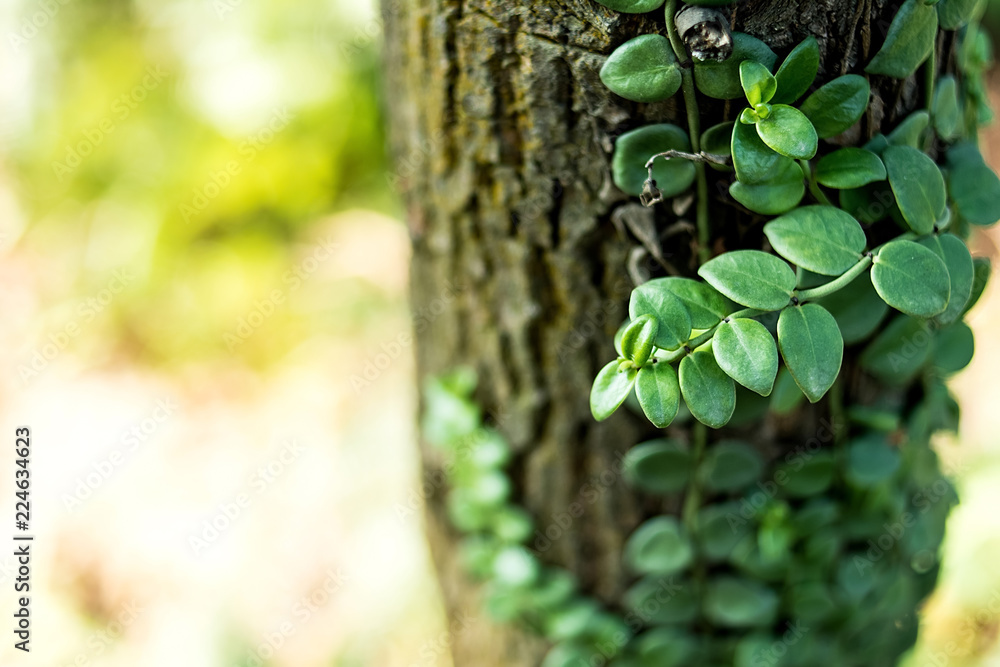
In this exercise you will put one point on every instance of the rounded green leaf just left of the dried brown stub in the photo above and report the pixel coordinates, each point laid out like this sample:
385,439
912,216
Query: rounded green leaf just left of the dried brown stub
643,69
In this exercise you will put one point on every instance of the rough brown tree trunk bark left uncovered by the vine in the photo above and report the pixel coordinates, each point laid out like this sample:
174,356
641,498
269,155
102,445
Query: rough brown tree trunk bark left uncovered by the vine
502,136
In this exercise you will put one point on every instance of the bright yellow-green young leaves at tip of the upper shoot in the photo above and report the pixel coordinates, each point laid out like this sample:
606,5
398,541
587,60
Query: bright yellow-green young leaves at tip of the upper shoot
783,128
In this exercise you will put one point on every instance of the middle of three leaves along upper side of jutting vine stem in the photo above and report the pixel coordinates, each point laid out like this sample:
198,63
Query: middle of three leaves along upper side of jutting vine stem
751,278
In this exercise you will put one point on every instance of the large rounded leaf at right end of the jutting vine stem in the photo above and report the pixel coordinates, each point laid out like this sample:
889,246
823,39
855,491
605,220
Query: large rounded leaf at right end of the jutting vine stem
911,279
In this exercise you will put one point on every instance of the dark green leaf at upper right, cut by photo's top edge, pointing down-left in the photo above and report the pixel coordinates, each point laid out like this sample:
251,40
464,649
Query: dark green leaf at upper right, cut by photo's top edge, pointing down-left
909,42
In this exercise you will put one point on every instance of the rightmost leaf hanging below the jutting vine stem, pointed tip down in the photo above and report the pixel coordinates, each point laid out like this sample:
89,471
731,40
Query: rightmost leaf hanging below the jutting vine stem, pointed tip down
812,348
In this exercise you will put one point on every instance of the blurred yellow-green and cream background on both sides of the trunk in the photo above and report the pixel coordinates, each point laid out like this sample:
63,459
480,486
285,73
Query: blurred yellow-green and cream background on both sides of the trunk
201,253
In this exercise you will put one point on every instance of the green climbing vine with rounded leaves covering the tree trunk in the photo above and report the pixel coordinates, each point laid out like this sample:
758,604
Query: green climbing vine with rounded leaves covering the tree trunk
821,554
